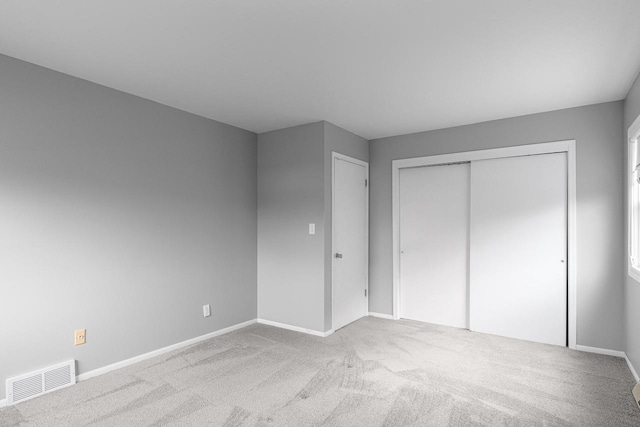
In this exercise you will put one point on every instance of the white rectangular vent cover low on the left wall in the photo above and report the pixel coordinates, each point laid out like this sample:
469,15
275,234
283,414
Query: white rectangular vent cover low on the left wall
27,386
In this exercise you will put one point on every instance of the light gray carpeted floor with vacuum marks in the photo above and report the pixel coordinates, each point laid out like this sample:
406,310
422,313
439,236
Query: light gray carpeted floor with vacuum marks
374,372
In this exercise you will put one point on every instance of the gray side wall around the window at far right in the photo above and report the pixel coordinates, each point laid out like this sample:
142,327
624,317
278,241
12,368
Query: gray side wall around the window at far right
632,288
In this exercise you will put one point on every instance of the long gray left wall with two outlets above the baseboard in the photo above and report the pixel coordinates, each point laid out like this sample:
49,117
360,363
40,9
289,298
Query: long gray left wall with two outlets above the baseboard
118,215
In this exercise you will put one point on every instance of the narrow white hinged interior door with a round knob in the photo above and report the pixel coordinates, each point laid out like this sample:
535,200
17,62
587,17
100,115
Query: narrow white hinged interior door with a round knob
350,241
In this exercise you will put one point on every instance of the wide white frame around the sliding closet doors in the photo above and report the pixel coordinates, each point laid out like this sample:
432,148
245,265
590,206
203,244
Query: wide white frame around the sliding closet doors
568,146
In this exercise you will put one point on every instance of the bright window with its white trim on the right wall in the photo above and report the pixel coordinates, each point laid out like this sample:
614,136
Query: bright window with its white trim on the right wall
633,202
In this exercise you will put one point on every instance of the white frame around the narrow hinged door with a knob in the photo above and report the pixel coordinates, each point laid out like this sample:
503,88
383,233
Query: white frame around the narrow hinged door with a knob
338,156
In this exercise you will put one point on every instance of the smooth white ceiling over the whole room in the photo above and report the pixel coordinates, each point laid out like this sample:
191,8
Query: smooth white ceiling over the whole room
375,67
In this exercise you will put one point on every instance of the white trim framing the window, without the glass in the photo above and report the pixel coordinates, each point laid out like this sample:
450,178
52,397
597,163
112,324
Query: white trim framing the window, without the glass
633,138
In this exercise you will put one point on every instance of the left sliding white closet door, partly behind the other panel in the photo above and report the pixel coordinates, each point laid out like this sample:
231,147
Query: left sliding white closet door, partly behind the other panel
434,224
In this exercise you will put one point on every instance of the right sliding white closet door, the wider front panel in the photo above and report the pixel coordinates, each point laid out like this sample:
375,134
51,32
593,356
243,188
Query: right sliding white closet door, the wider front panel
518,247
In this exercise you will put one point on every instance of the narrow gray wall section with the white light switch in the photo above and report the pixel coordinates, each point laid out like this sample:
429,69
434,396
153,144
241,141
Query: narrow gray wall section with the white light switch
290,196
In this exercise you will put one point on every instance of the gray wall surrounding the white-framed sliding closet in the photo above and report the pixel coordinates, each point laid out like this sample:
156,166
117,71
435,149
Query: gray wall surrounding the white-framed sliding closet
597,130
